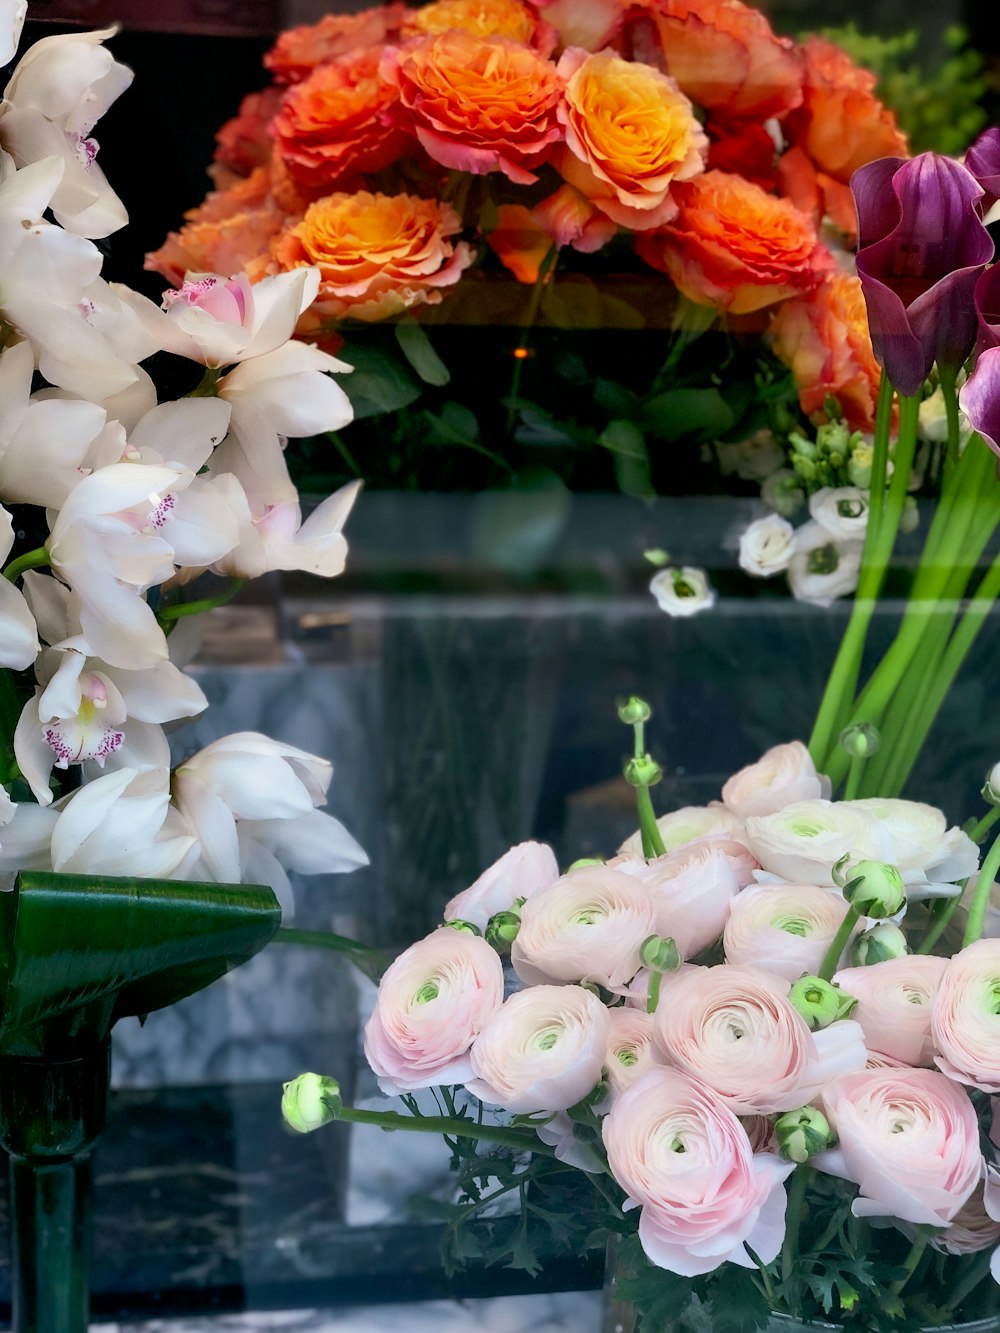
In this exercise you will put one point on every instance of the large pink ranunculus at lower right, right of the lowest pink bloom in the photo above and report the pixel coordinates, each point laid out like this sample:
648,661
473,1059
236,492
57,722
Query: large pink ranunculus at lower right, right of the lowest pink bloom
909,1139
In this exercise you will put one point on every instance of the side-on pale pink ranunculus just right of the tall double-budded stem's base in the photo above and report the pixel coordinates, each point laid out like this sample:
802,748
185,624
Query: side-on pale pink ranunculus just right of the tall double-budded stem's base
691,890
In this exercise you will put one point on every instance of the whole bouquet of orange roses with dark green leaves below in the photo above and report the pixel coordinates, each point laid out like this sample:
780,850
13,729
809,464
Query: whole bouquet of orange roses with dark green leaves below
658,170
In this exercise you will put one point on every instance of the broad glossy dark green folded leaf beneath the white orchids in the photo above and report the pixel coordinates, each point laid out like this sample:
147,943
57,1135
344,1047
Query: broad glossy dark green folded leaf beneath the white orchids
81,952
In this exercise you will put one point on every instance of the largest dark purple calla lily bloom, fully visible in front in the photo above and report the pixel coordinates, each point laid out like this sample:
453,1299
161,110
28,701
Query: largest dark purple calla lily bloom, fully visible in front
922,246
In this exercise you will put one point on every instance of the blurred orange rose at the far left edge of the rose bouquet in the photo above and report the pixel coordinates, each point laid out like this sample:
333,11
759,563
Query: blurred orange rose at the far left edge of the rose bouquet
226,234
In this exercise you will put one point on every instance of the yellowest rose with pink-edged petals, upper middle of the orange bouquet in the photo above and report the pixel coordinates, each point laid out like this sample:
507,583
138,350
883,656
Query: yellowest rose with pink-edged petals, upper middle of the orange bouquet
630,135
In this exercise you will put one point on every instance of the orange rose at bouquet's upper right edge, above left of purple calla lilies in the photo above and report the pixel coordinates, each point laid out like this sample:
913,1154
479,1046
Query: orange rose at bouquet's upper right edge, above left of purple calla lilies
842,125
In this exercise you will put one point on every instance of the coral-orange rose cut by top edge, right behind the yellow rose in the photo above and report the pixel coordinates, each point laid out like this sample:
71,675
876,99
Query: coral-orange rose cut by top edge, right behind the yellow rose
726,58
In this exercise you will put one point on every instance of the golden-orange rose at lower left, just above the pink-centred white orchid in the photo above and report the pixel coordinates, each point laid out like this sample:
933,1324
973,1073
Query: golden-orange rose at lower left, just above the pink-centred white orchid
378,255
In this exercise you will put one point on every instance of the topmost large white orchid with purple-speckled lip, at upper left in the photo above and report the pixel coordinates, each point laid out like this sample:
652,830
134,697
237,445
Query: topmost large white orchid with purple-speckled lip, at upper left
59,90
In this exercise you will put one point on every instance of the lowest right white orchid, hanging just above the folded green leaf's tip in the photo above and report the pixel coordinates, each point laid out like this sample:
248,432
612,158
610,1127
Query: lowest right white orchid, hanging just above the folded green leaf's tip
253,804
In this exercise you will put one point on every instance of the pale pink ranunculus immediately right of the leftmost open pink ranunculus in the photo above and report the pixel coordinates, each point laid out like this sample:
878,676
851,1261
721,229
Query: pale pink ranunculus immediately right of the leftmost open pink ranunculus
542,1052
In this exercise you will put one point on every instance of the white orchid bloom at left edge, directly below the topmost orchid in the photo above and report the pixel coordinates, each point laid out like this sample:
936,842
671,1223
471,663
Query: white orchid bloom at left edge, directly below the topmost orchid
46,275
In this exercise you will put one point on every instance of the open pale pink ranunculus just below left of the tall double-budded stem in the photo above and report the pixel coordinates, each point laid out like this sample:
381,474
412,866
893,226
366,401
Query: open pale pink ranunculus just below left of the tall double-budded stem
589,926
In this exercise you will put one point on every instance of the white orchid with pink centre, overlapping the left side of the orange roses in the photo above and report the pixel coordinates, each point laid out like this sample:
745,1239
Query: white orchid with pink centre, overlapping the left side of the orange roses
219,321
